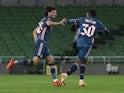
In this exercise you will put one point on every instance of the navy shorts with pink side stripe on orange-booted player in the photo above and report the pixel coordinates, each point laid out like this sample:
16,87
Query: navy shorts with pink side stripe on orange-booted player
41,50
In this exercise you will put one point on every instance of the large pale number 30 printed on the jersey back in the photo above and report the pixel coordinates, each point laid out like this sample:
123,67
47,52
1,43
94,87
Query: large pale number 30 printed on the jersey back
88,30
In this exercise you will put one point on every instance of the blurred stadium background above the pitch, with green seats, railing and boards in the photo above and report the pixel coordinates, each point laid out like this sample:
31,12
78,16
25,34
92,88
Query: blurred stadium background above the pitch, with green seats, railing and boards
18,18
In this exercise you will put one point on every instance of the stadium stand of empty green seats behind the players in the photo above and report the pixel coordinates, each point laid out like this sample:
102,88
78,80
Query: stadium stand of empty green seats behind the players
17,24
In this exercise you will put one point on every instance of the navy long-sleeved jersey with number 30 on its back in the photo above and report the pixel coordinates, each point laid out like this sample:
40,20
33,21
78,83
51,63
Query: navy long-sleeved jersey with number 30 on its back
88,27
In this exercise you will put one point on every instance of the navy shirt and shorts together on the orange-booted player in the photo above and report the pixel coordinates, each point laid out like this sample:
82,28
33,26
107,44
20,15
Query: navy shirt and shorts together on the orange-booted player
43,32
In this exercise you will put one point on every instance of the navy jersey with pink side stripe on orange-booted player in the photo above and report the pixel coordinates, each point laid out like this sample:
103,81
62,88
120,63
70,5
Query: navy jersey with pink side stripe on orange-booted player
43,30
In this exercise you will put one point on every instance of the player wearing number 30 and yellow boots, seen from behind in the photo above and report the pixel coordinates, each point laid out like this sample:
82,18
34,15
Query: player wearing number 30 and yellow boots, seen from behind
88,27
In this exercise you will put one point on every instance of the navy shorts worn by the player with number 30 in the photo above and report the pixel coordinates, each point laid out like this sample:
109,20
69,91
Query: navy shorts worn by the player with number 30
83,52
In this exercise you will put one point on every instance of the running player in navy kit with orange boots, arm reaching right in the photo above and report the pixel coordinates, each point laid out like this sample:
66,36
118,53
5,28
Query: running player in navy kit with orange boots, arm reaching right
41,35
